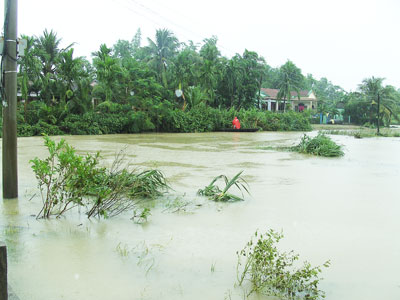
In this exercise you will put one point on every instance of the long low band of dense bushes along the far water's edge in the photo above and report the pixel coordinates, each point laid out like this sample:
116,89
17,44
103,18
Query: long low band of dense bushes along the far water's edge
110,118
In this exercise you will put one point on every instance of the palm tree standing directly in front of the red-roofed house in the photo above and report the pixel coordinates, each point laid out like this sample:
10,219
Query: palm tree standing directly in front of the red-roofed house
290,79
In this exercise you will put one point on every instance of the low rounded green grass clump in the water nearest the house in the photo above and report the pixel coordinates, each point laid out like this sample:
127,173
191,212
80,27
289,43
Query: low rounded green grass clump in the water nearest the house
321,145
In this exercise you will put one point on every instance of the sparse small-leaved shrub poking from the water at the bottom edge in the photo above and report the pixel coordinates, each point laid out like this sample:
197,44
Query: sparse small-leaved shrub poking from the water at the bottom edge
273,273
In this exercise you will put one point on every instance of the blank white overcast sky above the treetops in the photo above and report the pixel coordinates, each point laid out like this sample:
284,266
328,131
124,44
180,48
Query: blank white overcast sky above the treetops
342,40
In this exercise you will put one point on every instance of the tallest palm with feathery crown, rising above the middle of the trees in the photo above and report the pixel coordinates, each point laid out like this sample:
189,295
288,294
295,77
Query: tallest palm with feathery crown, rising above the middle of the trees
161,51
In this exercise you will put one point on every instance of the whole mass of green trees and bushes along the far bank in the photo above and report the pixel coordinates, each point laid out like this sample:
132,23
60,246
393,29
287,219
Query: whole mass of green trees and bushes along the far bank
130,88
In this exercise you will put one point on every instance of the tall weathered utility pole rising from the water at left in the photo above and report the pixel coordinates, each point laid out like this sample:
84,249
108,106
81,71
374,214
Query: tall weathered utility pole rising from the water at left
9,101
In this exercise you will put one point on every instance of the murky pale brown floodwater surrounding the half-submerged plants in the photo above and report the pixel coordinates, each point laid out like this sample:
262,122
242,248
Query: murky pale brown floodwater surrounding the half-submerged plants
342,209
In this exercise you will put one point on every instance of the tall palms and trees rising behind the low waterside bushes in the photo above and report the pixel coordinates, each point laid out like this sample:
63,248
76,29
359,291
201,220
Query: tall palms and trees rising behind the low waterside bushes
129,76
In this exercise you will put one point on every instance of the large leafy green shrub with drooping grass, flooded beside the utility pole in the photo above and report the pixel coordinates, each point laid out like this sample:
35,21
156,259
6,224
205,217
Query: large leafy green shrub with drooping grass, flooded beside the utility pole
67,180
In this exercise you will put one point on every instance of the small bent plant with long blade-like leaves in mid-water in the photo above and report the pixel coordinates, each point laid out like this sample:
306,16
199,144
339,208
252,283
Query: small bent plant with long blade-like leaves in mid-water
213,192
